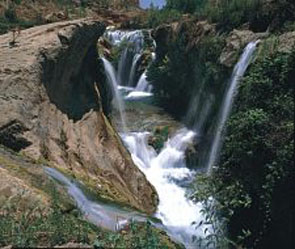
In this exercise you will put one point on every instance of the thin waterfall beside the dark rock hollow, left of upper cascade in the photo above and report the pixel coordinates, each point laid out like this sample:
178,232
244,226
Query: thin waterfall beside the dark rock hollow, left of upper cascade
111,76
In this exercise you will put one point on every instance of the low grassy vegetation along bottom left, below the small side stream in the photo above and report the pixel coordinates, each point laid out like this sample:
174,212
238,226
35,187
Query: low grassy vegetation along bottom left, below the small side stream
53,226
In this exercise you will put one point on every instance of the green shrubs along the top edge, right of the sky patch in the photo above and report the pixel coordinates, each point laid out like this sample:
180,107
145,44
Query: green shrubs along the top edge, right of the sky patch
227,14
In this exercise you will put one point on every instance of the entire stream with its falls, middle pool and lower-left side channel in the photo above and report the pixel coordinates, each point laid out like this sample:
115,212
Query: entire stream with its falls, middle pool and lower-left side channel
135,116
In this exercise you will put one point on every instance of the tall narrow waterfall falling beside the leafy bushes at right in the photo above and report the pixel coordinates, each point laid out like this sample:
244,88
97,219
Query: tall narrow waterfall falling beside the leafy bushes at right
225,109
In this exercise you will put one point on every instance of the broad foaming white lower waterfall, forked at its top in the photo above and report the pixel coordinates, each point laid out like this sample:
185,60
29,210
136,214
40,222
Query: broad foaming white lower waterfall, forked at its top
167,172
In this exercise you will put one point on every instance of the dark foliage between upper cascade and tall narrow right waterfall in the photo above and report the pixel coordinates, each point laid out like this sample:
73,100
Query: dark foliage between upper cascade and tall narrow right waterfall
181,68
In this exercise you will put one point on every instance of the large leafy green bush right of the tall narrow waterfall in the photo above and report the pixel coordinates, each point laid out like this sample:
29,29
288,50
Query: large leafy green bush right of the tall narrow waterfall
256,164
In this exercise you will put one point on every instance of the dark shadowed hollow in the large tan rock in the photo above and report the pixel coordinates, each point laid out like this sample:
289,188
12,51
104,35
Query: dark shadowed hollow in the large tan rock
69,78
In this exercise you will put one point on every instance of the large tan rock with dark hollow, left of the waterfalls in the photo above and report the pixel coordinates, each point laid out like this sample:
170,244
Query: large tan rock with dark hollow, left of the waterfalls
50,108
